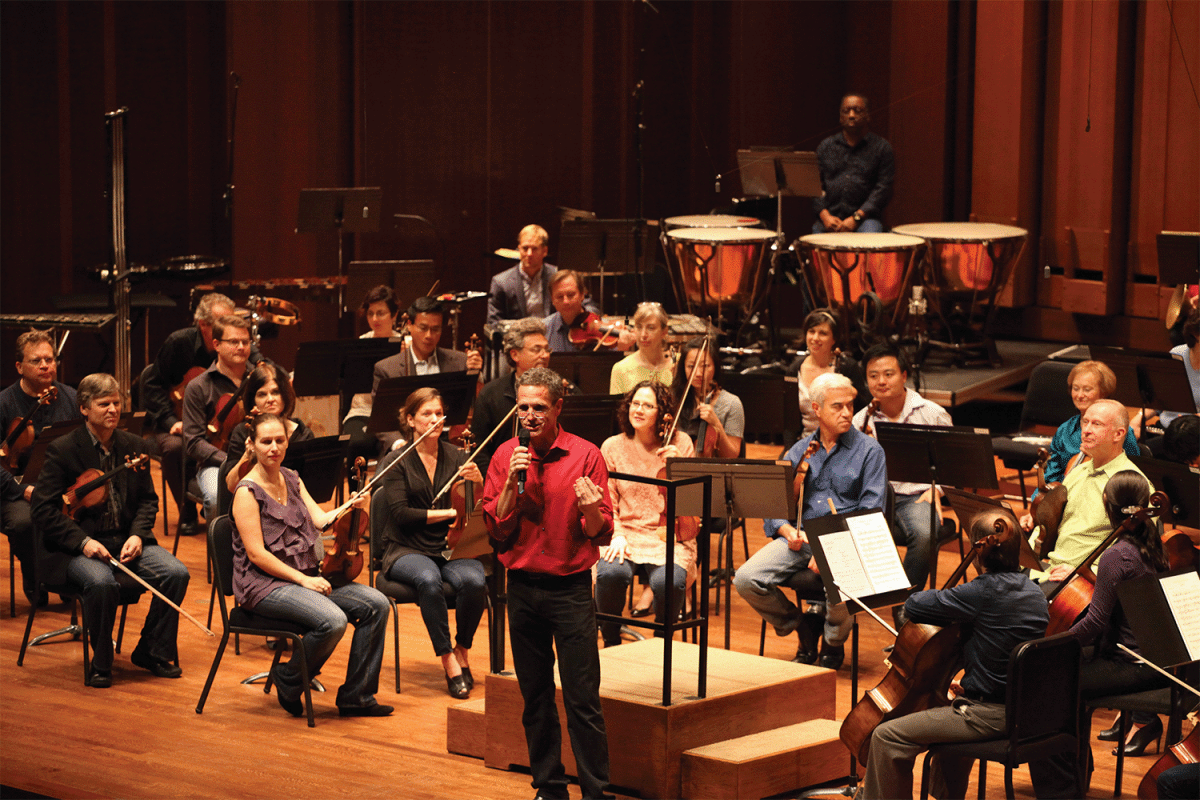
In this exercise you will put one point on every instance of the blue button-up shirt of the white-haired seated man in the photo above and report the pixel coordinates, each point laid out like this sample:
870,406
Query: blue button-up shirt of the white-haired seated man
854,476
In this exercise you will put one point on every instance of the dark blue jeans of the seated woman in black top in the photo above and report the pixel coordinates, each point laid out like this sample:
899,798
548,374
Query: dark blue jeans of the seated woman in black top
470,584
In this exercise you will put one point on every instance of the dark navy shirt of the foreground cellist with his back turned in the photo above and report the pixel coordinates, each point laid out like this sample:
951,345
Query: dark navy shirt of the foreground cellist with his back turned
1004,610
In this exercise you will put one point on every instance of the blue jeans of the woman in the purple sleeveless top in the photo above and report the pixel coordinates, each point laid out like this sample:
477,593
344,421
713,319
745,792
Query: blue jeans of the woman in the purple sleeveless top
327,617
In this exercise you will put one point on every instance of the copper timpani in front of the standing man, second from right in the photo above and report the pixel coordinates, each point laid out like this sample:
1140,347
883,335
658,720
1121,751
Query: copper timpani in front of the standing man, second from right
868,270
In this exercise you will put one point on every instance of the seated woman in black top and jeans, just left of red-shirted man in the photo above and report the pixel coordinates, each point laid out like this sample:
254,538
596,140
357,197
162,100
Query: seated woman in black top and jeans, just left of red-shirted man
416,551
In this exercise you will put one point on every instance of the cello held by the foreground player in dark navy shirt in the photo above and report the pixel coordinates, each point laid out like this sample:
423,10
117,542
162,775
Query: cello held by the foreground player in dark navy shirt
922,665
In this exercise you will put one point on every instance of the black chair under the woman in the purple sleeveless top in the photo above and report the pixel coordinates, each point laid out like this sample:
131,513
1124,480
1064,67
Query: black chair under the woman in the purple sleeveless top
242,621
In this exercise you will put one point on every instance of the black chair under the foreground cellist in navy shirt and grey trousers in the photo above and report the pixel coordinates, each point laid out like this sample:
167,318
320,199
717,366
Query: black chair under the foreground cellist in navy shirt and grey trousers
1043,709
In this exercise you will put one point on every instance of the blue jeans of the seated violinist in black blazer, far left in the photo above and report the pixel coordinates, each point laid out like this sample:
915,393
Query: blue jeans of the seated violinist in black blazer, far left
101,594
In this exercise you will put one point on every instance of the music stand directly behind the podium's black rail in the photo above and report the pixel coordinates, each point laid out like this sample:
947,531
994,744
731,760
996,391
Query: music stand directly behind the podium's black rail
742,488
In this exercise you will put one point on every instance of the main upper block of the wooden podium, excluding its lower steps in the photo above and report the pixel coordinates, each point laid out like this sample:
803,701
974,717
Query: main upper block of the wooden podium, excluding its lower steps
747,695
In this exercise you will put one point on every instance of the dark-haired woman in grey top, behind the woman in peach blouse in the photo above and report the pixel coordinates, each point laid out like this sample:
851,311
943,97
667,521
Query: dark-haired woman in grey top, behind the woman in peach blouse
721,410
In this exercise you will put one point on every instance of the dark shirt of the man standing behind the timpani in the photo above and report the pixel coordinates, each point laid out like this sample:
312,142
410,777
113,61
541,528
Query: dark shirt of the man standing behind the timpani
855,178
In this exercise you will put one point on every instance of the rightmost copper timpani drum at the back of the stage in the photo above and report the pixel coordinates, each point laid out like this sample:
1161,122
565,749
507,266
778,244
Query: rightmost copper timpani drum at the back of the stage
965,268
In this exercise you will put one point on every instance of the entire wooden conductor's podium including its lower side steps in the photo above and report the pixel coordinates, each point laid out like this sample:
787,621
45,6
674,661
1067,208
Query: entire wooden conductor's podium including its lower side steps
766,726
